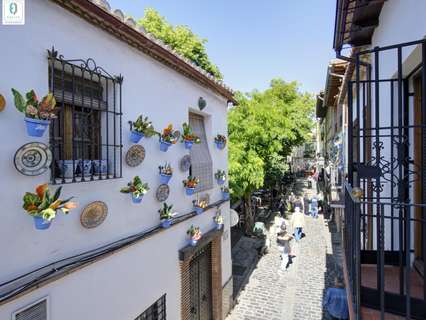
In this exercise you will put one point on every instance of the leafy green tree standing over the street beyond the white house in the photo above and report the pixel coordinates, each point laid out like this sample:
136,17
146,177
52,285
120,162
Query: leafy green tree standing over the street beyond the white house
263,129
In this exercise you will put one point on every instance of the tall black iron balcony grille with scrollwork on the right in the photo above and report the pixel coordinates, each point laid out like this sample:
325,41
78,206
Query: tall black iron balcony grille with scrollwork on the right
384,228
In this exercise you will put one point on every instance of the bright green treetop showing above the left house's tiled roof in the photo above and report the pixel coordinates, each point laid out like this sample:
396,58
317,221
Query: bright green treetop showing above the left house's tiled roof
181,39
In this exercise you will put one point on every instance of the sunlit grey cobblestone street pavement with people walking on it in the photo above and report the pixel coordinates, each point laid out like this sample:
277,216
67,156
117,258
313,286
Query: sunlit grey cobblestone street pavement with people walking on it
272,294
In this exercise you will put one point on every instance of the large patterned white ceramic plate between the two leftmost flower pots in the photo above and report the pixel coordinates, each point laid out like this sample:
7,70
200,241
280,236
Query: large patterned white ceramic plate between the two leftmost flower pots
32,159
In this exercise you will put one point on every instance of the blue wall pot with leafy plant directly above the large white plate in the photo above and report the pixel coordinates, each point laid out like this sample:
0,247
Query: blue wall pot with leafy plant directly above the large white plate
37,113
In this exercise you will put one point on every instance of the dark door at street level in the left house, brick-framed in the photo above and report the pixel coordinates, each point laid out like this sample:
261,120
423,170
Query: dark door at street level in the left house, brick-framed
201,285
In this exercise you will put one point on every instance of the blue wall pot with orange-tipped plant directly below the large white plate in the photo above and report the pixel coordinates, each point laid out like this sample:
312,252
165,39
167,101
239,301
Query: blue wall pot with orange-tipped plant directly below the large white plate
43,207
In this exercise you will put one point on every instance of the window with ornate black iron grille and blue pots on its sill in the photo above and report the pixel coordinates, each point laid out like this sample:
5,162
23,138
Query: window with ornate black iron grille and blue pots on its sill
85,138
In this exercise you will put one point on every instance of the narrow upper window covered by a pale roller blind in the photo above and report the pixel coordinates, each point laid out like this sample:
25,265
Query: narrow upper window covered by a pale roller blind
201,161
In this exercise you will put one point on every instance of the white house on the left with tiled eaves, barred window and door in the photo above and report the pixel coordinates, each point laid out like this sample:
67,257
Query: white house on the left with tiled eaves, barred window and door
130,267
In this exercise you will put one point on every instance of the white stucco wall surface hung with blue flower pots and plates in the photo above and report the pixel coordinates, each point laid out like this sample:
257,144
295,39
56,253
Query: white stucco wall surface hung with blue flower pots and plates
123,285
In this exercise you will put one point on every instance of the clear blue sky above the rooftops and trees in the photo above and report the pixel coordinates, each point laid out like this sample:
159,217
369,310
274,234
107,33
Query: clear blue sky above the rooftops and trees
255,41
